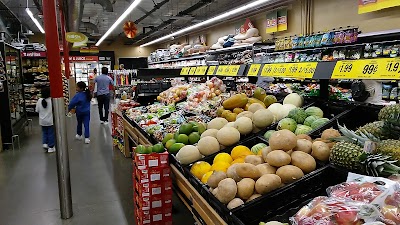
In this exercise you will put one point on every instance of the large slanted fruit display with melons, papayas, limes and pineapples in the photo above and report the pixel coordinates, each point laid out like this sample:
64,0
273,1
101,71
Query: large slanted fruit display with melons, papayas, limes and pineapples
262,160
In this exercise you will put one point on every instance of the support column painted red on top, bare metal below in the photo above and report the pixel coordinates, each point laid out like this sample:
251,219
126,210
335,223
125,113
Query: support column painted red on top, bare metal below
56,88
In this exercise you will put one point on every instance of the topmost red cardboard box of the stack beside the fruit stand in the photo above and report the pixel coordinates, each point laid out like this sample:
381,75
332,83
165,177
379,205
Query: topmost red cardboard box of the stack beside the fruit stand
143,161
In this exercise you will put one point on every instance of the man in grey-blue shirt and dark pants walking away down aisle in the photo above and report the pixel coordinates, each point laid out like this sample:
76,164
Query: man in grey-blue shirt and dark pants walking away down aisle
103,94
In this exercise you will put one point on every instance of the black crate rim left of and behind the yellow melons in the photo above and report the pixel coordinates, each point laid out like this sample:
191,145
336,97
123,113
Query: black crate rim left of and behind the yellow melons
203,189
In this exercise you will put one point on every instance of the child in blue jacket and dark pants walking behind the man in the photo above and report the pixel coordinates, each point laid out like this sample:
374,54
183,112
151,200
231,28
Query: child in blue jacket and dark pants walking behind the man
81,103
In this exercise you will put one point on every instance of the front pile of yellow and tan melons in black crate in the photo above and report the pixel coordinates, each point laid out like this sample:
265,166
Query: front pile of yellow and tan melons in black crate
247,174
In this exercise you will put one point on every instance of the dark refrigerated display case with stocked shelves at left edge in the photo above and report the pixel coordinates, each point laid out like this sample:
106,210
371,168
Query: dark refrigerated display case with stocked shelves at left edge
13,116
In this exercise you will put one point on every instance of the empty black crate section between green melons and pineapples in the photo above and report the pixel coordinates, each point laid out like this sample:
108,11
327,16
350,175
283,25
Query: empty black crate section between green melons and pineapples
353,118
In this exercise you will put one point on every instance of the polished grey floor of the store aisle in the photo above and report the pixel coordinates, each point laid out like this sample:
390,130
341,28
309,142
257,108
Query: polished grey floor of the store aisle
100,177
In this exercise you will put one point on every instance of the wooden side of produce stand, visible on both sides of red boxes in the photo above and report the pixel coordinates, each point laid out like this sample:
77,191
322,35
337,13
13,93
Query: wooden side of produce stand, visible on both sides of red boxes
202,212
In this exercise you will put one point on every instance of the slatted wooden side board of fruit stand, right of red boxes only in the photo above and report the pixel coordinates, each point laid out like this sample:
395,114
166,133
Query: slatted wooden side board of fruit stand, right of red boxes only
196,201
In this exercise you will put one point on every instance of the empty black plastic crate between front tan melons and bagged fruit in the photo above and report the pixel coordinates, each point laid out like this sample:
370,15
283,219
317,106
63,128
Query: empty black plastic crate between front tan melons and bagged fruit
283,203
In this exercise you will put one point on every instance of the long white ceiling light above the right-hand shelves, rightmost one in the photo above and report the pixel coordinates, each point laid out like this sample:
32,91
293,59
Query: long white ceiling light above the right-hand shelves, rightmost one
209,21
